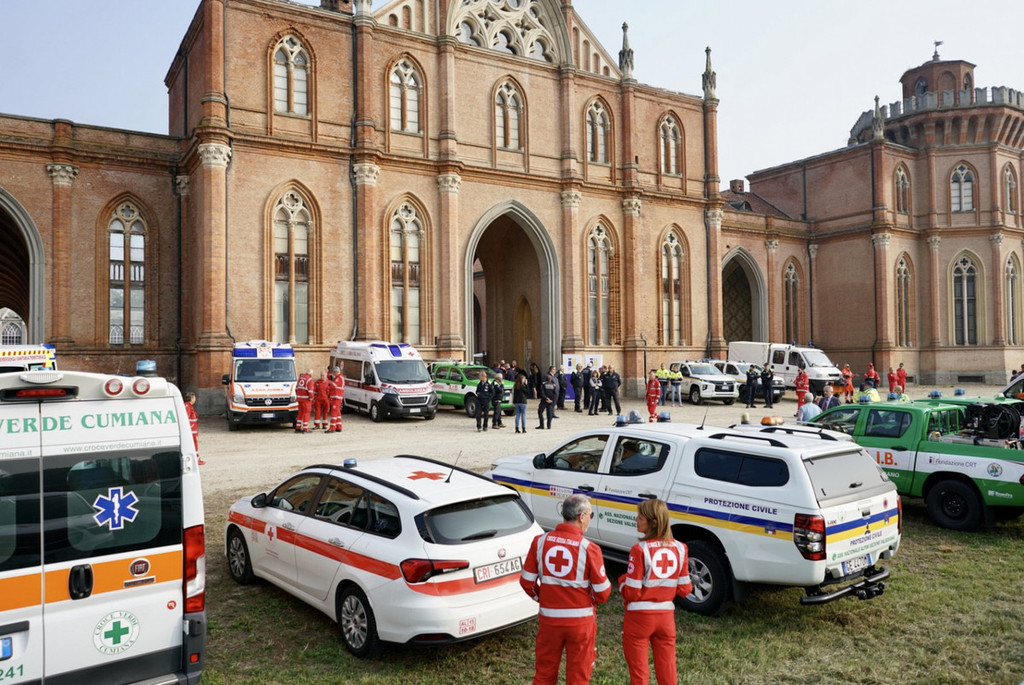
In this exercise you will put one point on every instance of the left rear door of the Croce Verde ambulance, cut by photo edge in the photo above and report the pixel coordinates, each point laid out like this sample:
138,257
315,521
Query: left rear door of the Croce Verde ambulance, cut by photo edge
21,554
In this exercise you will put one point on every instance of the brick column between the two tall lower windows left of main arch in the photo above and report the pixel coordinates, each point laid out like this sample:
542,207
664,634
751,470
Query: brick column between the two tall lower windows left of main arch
372,254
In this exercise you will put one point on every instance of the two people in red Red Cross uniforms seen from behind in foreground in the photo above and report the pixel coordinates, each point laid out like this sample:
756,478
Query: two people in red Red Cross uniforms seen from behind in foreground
565,573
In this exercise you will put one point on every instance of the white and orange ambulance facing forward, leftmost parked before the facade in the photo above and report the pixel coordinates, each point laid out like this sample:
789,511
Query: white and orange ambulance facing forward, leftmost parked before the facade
262,386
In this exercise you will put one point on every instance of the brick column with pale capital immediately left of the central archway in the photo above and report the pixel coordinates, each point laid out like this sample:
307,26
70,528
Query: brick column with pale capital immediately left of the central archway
450,290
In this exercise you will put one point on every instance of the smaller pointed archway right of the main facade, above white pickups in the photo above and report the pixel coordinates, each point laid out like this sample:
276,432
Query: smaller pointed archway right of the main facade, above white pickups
745,302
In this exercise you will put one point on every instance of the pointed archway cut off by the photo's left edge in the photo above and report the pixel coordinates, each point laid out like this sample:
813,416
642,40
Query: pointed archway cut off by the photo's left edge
22,268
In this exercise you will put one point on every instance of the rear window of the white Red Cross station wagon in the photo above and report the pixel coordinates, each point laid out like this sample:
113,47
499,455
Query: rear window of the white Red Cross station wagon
475,520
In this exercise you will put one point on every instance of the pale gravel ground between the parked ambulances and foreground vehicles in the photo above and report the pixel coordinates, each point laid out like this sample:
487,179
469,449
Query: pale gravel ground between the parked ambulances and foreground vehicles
253,459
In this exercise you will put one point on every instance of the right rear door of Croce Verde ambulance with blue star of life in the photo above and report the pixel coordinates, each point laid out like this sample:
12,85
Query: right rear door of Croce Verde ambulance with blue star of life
113,539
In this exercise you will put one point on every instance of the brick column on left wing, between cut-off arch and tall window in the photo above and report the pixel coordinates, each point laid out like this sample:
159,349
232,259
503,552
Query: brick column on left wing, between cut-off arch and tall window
62,178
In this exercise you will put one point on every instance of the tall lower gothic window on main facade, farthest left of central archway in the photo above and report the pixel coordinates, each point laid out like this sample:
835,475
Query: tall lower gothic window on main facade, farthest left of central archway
292,233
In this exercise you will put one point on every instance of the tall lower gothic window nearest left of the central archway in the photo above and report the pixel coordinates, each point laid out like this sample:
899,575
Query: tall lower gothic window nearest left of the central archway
407,237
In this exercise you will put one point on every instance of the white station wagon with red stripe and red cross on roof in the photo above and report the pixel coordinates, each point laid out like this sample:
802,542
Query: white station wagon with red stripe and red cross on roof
407,550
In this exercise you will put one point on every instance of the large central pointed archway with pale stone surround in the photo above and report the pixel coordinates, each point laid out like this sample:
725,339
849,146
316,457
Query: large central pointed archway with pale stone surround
514,306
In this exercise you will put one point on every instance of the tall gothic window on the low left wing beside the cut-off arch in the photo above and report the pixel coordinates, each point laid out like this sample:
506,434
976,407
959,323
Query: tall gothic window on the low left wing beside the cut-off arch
126,280
